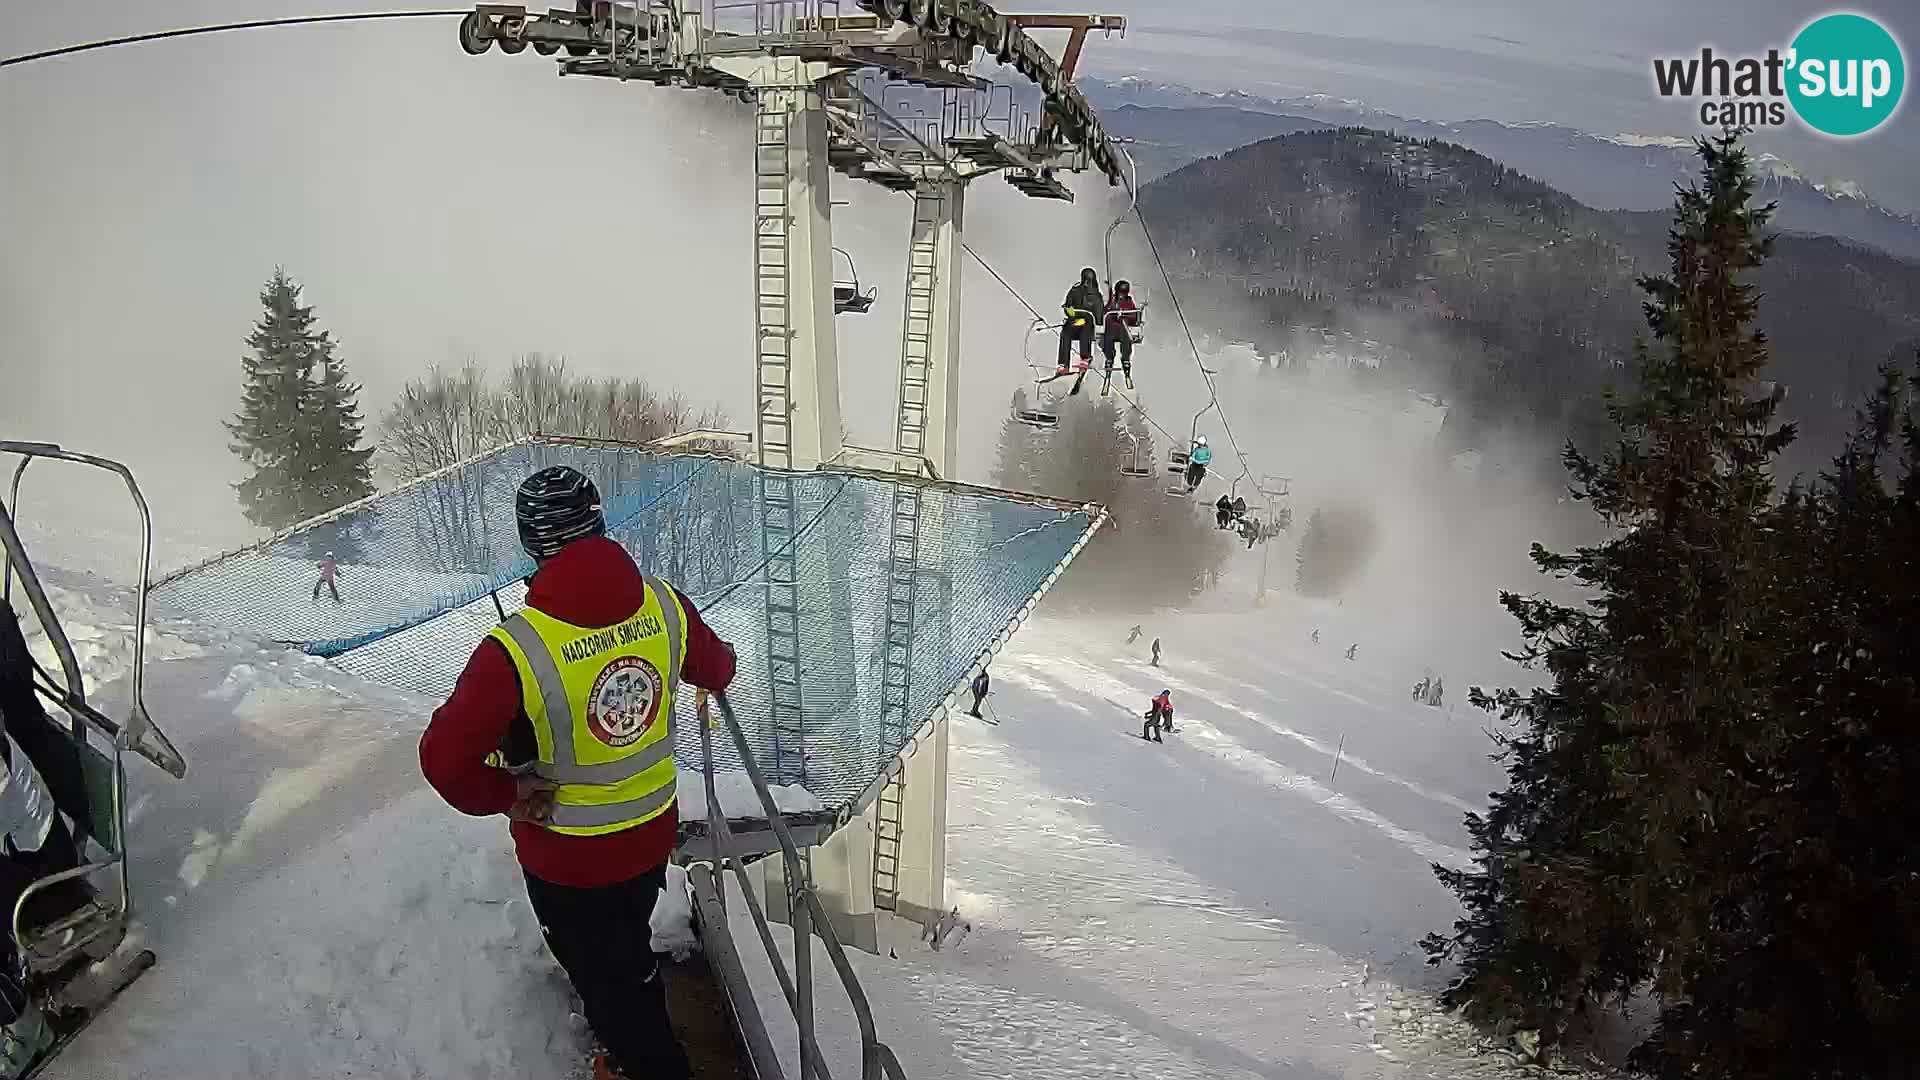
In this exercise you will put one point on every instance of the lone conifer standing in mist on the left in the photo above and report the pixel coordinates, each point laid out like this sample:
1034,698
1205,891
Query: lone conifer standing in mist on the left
299,426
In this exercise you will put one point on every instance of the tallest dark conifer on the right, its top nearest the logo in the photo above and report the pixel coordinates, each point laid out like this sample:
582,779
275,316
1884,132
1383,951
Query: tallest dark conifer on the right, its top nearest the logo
1602,866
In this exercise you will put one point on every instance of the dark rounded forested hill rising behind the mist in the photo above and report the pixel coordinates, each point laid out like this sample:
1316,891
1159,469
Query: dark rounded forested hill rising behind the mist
1499,293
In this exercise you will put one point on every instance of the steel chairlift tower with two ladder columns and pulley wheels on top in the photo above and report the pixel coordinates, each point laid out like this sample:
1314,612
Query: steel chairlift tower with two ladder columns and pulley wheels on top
882,91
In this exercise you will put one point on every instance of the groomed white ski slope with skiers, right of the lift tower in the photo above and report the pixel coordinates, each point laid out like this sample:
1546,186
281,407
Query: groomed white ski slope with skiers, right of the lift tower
1205,908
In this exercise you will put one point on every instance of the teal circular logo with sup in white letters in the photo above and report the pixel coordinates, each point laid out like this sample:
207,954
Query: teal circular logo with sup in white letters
1848,76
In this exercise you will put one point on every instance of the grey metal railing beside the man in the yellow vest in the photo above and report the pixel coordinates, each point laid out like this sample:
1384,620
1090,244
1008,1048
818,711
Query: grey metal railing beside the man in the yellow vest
809,918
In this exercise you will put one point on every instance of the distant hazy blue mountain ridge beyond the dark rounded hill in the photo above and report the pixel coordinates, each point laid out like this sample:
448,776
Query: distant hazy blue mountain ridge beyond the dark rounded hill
1620,172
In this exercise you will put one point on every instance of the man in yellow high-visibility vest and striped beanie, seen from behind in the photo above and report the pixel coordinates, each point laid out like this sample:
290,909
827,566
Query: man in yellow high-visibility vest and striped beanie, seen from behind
564,724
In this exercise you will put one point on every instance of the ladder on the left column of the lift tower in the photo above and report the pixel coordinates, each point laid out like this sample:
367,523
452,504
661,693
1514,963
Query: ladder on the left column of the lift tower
775,431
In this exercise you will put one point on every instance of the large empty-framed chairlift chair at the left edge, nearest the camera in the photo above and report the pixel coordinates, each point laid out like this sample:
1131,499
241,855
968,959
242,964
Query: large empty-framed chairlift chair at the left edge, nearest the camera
85,772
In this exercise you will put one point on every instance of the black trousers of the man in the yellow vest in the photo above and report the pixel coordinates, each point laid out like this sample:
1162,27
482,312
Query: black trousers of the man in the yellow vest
604,939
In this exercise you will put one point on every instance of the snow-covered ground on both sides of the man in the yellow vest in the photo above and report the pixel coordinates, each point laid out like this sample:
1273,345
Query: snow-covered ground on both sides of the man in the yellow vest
1218,906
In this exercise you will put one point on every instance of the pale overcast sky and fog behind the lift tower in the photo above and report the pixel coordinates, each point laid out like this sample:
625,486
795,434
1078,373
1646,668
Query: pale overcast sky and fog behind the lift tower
443,209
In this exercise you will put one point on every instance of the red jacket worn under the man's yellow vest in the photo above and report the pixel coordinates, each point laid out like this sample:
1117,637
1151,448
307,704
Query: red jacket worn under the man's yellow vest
590,583
